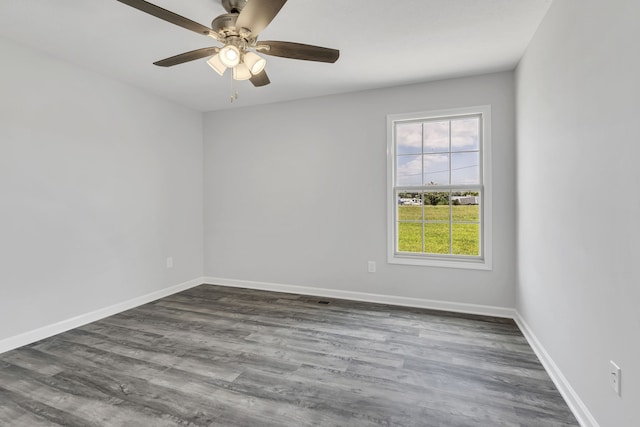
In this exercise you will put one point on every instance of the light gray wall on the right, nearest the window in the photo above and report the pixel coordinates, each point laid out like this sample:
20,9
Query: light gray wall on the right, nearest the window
578,209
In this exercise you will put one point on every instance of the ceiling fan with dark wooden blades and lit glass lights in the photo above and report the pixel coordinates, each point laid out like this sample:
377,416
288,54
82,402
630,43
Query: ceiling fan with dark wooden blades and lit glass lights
238,31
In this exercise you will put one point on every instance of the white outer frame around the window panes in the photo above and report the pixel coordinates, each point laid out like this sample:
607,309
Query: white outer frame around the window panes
482,262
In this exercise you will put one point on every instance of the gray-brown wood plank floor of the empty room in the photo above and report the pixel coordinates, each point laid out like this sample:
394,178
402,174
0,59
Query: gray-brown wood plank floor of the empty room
217,356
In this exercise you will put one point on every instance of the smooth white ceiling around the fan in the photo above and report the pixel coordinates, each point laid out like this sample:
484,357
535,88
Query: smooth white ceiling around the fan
382,43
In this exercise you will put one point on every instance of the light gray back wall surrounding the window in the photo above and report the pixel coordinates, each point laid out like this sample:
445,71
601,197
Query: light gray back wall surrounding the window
295,193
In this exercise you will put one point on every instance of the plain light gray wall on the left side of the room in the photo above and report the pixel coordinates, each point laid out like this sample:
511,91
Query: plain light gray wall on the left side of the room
99,182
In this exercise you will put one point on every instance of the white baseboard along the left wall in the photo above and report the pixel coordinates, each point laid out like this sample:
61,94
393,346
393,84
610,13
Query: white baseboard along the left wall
74,322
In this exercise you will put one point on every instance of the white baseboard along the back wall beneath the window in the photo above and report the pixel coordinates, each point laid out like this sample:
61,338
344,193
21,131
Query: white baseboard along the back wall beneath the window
485,310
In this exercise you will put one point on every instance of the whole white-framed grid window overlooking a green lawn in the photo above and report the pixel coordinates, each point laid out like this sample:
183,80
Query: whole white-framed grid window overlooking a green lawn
439,193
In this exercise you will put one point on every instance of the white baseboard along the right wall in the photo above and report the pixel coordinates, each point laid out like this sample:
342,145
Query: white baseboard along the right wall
570,396
